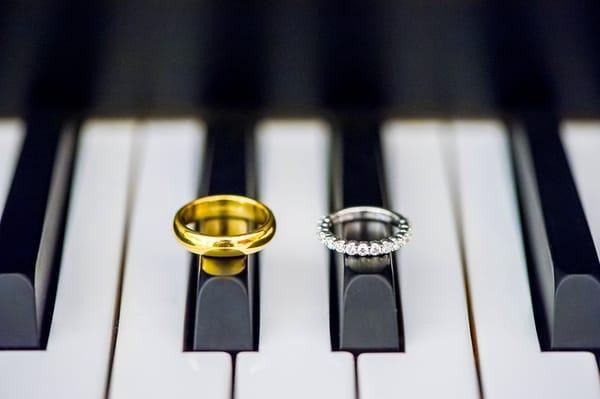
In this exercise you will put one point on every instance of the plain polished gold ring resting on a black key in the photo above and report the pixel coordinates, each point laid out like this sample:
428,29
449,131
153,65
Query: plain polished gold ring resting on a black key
227,226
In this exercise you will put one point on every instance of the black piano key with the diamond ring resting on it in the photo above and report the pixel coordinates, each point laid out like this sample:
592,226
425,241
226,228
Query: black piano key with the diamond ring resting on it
365,302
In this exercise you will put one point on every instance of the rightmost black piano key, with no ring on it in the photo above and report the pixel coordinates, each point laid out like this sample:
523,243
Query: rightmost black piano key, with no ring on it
563,263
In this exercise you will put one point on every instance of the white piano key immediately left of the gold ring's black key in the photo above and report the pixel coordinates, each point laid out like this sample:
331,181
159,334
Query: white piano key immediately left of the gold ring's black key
149,360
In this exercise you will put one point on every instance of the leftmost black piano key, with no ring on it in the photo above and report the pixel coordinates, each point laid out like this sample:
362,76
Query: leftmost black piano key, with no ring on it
31,232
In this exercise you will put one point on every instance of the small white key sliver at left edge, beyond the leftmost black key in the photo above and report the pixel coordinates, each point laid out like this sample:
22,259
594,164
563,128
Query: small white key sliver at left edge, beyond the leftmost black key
11,135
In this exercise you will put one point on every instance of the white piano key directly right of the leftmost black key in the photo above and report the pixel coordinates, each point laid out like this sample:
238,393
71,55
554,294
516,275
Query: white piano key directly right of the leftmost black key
76,361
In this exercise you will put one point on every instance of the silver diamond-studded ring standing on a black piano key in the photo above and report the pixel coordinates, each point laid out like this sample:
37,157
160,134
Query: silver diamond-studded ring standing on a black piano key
364,248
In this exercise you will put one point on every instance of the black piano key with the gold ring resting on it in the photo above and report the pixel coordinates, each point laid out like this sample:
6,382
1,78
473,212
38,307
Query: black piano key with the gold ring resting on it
223,310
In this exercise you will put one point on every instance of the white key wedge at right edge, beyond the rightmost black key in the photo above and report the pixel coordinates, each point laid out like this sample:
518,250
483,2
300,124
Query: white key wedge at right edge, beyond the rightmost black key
582,142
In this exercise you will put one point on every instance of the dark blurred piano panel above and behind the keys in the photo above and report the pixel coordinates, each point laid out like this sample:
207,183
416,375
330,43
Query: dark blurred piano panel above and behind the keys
421,58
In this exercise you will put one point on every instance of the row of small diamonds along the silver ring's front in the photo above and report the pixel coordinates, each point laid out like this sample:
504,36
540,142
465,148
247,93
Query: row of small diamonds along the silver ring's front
363,248
